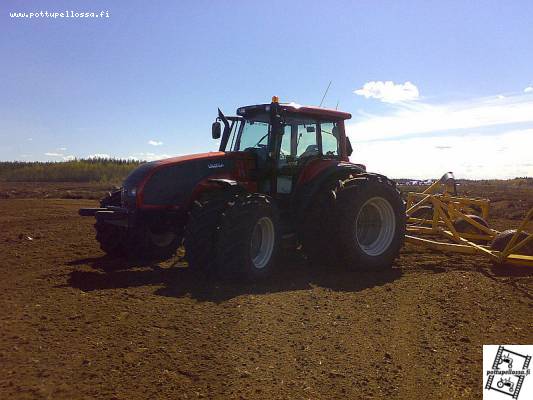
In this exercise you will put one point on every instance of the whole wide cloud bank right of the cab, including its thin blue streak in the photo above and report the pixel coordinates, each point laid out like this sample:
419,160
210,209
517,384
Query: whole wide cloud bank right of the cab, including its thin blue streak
478,139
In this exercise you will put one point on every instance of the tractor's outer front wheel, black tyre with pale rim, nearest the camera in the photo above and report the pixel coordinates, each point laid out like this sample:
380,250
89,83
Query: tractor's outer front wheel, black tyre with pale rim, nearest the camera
247,240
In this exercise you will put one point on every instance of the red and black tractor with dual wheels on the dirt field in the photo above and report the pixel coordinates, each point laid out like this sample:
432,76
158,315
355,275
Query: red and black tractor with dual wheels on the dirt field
281,174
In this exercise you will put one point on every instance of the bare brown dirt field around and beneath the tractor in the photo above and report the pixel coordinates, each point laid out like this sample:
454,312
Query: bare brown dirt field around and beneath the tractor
74,324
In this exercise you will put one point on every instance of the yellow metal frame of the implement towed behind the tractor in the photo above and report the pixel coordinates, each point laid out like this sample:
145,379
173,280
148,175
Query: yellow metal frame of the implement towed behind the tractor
448,207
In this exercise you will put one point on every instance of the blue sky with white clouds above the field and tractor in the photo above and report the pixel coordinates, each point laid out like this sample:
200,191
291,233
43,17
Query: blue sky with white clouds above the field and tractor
432,86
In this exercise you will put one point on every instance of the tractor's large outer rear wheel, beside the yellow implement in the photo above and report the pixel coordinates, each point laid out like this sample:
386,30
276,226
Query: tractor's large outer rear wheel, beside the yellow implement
370,216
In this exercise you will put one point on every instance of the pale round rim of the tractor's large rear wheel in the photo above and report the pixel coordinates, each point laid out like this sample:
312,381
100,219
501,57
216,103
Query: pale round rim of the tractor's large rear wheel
375,226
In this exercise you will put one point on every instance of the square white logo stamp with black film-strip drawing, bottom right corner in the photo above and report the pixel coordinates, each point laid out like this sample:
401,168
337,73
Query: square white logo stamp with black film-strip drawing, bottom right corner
506,372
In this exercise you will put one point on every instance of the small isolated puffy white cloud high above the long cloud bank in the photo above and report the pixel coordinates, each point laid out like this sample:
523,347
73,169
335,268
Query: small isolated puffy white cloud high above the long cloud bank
389,92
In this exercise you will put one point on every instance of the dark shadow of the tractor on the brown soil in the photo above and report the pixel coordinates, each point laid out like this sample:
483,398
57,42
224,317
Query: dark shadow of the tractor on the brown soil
293,273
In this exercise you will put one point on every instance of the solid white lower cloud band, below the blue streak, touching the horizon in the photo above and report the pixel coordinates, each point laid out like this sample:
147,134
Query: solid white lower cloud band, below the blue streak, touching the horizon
476,156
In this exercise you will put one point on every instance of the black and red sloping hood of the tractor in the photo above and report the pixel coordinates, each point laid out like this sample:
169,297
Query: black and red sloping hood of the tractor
170,182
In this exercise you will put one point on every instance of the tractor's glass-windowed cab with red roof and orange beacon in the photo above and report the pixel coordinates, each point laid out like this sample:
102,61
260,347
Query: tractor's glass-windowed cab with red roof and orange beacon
289,142
